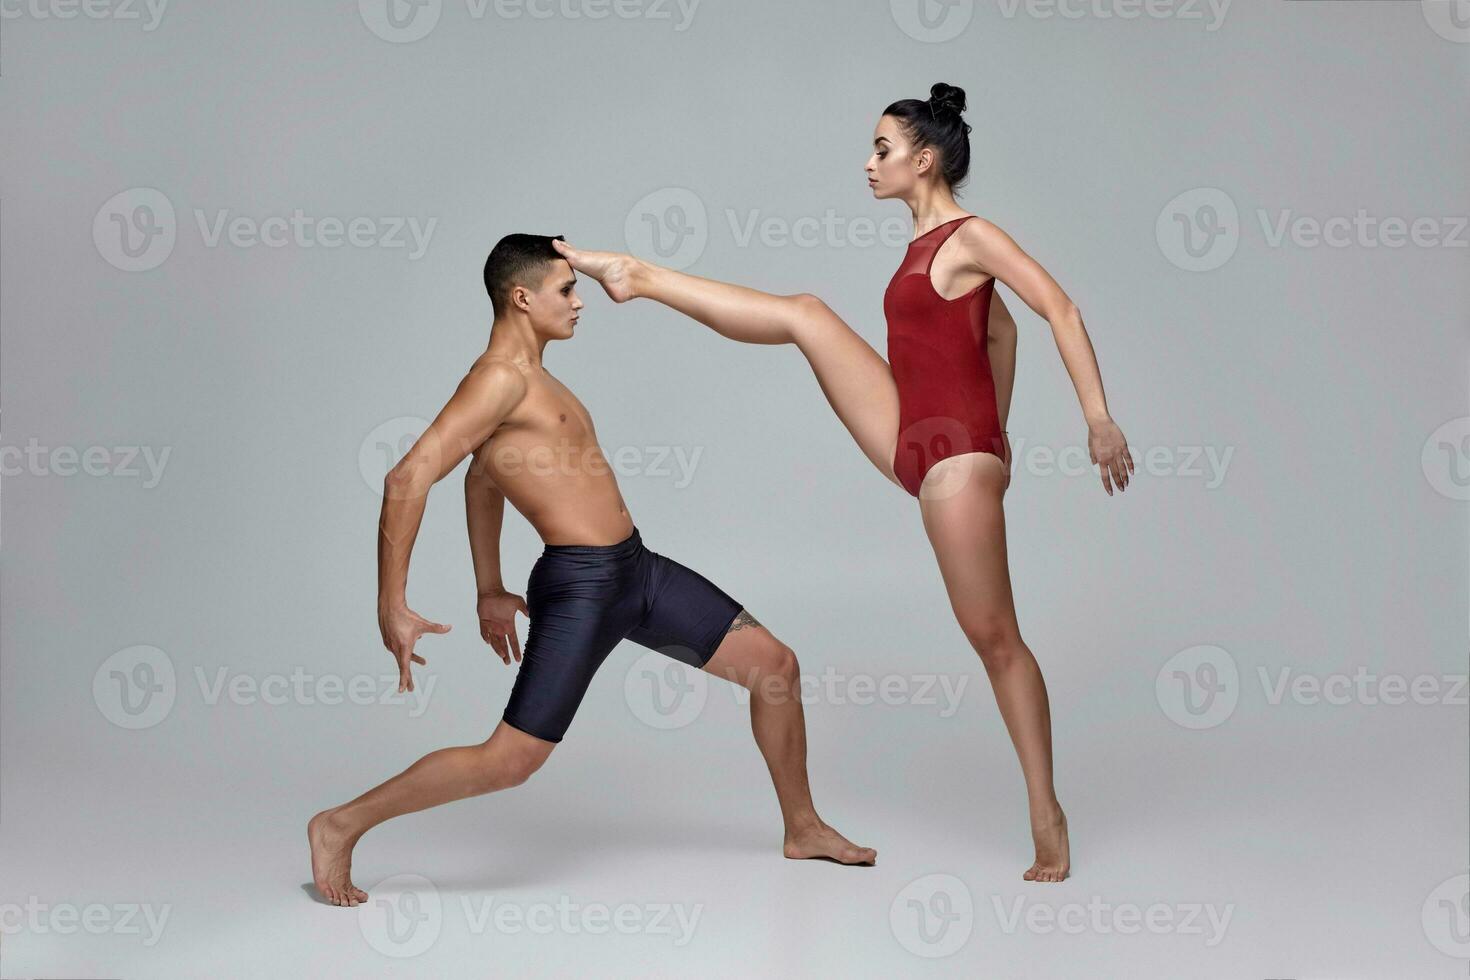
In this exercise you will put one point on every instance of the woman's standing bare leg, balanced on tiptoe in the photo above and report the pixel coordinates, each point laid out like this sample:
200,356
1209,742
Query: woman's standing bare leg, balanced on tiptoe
967,527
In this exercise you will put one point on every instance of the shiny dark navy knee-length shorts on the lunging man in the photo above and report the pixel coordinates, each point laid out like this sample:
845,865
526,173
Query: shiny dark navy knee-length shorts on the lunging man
583,600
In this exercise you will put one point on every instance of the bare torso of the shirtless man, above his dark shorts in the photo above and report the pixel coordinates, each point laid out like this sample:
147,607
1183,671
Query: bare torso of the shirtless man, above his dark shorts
546,461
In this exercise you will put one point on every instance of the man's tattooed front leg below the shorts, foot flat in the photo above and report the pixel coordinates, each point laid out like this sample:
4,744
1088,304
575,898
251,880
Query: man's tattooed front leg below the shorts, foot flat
752,657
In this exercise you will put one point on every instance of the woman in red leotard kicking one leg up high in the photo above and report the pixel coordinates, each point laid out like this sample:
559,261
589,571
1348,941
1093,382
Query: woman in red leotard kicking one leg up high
934,422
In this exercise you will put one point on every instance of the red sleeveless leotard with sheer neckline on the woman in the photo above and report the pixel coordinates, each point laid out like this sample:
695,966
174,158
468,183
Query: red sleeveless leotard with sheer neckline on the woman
937,350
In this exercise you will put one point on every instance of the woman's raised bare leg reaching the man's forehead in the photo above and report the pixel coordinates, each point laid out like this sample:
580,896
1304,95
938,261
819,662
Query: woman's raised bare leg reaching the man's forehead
856,381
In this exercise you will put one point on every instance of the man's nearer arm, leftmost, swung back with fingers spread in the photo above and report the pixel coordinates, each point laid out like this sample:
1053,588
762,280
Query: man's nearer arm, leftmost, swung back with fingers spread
478,406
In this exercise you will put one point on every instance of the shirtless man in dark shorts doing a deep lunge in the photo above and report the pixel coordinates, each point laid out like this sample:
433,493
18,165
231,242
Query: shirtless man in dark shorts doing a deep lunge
596,584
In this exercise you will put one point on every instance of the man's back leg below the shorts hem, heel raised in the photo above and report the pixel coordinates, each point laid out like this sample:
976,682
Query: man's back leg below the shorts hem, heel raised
508,759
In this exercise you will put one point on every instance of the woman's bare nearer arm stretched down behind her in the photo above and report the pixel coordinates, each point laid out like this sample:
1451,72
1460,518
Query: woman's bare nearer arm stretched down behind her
996,253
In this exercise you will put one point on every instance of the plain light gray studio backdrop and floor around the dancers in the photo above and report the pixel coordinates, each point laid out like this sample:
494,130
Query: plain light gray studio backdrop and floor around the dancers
1330,838
